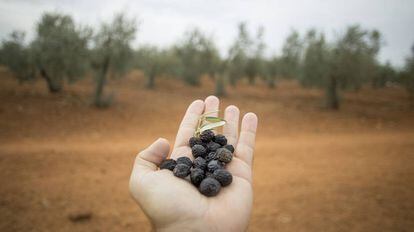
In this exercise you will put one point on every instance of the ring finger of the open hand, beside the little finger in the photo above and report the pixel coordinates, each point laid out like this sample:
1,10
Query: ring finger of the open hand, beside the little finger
231,128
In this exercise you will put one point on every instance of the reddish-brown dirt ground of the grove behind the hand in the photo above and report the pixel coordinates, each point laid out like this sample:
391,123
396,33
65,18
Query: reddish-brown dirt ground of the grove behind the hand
314,170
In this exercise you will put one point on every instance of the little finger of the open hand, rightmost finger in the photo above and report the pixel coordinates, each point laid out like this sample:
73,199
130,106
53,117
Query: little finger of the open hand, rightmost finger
245,146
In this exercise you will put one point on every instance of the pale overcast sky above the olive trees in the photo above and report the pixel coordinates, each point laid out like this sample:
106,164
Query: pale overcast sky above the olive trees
163,22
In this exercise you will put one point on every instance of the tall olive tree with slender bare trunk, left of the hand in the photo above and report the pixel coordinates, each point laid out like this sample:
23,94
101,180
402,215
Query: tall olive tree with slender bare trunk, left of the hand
112,53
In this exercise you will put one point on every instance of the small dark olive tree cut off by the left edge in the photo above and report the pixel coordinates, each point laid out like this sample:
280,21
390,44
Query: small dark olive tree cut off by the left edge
17,57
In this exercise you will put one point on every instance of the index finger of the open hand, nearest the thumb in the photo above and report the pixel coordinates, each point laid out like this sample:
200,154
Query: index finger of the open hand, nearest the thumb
189,123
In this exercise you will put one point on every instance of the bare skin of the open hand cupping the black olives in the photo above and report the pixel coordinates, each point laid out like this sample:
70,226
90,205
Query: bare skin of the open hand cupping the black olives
173,204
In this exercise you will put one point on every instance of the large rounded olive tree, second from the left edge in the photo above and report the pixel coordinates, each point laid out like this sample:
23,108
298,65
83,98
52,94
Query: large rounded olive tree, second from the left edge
60,49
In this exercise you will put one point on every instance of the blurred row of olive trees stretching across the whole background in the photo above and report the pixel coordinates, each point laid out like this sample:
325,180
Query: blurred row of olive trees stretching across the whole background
63,51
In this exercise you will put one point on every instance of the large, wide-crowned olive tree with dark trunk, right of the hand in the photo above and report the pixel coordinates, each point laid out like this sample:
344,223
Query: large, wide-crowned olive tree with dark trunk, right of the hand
342,65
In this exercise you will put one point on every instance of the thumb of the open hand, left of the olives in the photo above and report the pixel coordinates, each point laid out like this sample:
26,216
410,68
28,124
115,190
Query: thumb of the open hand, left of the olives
149,159
